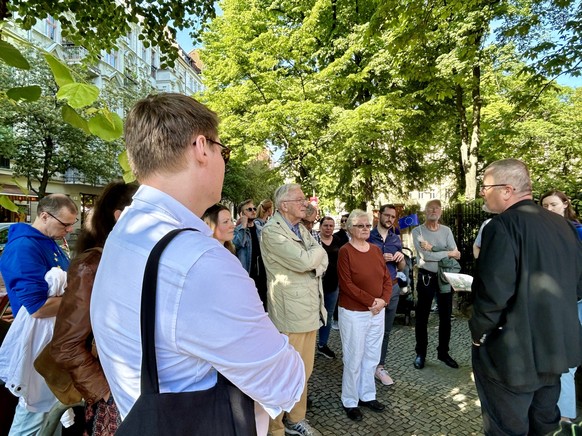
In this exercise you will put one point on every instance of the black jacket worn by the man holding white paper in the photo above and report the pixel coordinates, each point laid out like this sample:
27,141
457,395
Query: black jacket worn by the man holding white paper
529,278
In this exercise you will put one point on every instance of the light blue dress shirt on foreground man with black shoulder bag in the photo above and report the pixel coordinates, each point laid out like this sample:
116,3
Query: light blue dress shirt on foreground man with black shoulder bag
209,316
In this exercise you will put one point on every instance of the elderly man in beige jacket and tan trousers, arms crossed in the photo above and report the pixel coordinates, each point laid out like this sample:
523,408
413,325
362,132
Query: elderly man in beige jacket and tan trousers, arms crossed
295,263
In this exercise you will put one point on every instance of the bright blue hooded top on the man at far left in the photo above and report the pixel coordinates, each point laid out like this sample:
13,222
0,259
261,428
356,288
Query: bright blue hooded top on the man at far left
27,257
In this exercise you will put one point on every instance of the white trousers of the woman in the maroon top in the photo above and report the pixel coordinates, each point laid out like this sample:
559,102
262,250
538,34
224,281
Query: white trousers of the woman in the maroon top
361,334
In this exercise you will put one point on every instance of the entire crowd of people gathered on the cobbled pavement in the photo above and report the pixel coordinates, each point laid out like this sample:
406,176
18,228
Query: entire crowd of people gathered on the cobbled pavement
251,303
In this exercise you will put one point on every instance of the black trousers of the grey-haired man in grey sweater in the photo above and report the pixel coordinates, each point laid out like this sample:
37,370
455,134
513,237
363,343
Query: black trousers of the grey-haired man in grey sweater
426,288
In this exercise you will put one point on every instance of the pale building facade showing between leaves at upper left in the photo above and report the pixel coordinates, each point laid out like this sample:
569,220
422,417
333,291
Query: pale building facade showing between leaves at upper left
131,65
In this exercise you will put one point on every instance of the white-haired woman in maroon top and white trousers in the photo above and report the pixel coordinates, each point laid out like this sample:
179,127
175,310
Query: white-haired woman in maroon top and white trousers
365,288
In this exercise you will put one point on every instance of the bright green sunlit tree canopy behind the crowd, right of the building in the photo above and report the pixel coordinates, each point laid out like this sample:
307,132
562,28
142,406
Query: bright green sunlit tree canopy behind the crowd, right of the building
358,99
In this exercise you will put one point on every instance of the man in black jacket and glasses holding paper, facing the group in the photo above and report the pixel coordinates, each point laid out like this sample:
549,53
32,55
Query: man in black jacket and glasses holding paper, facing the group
525,327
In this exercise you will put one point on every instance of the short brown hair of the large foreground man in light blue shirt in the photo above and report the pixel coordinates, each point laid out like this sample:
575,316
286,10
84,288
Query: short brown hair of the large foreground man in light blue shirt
159,128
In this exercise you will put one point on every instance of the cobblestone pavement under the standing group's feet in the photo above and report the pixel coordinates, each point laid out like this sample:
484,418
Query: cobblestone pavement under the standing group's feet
436,400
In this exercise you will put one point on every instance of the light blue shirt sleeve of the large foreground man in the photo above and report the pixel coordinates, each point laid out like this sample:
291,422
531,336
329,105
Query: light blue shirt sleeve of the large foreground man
239,339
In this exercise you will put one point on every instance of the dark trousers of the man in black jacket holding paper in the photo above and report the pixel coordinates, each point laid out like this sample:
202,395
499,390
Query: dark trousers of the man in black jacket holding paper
513,411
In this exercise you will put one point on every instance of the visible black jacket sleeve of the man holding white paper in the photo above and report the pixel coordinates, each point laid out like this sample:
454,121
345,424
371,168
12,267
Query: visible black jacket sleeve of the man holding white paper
495,281
